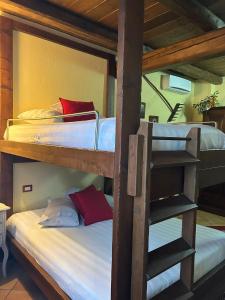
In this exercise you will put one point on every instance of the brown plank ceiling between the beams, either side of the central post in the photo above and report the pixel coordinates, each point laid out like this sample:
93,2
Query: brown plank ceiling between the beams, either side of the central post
162,26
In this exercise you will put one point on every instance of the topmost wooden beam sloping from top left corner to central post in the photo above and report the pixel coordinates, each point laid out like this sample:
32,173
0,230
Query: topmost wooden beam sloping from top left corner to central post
55,17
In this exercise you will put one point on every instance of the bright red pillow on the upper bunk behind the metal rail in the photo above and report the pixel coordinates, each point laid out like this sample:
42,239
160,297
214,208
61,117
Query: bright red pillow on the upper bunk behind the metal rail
71,107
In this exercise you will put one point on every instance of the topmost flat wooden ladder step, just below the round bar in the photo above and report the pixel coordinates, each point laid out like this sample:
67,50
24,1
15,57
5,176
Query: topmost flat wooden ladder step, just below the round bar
162,159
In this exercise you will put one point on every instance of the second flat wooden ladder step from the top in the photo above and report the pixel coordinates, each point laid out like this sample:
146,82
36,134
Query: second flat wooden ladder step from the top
161,210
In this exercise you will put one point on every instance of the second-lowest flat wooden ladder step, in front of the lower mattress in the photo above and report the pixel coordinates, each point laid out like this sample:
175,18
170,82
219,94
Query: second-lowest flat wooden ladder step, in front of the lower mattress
167,256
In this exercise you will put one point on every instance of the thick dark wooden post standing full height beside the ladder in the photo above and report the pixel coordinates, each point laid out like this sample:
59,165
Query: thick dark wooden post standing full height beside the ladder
130,41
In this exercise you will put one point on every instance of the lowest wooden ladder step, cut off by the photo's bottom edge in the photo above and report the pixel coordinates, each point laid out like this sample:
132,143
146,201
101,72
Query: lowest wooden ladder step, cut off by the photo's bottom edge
176,291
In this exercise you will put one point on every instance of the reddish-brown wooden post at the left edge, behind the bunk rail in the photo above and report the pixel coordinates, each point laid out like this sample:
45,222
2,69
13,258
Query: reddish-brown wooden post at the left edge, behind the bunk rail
6,107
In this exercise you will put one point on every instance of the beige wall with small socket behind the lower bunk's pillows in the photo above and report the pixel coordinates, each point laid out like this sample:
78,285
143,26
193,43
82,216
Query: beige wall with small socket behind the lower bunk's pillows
48,181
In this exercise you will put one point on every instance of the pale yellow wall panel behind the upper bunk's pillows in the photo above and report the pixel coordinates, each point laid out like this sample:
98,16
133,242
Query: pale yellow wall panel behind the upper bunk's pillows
44,71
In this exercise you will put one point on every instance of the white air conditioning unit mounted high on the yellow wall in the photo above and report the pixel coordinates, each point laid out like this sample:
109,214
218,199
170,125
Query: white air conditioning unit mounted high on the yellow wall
175,84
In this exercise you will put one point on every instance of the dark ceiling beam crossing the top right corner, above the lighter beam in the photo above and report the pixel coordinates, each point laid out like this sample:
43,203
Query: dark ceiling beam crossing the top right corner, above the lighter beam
196,12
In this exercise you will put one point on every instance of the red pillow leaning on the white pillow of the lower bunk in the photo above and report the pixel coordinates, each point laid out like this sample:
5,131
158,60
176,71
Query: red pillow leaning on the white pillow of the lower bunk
92,205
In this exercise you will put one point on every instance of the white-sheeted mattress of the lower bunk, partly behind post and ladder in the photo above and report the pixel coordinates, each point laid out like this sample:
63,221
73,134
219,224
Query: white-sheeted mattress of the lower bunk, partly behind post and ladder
79,259
